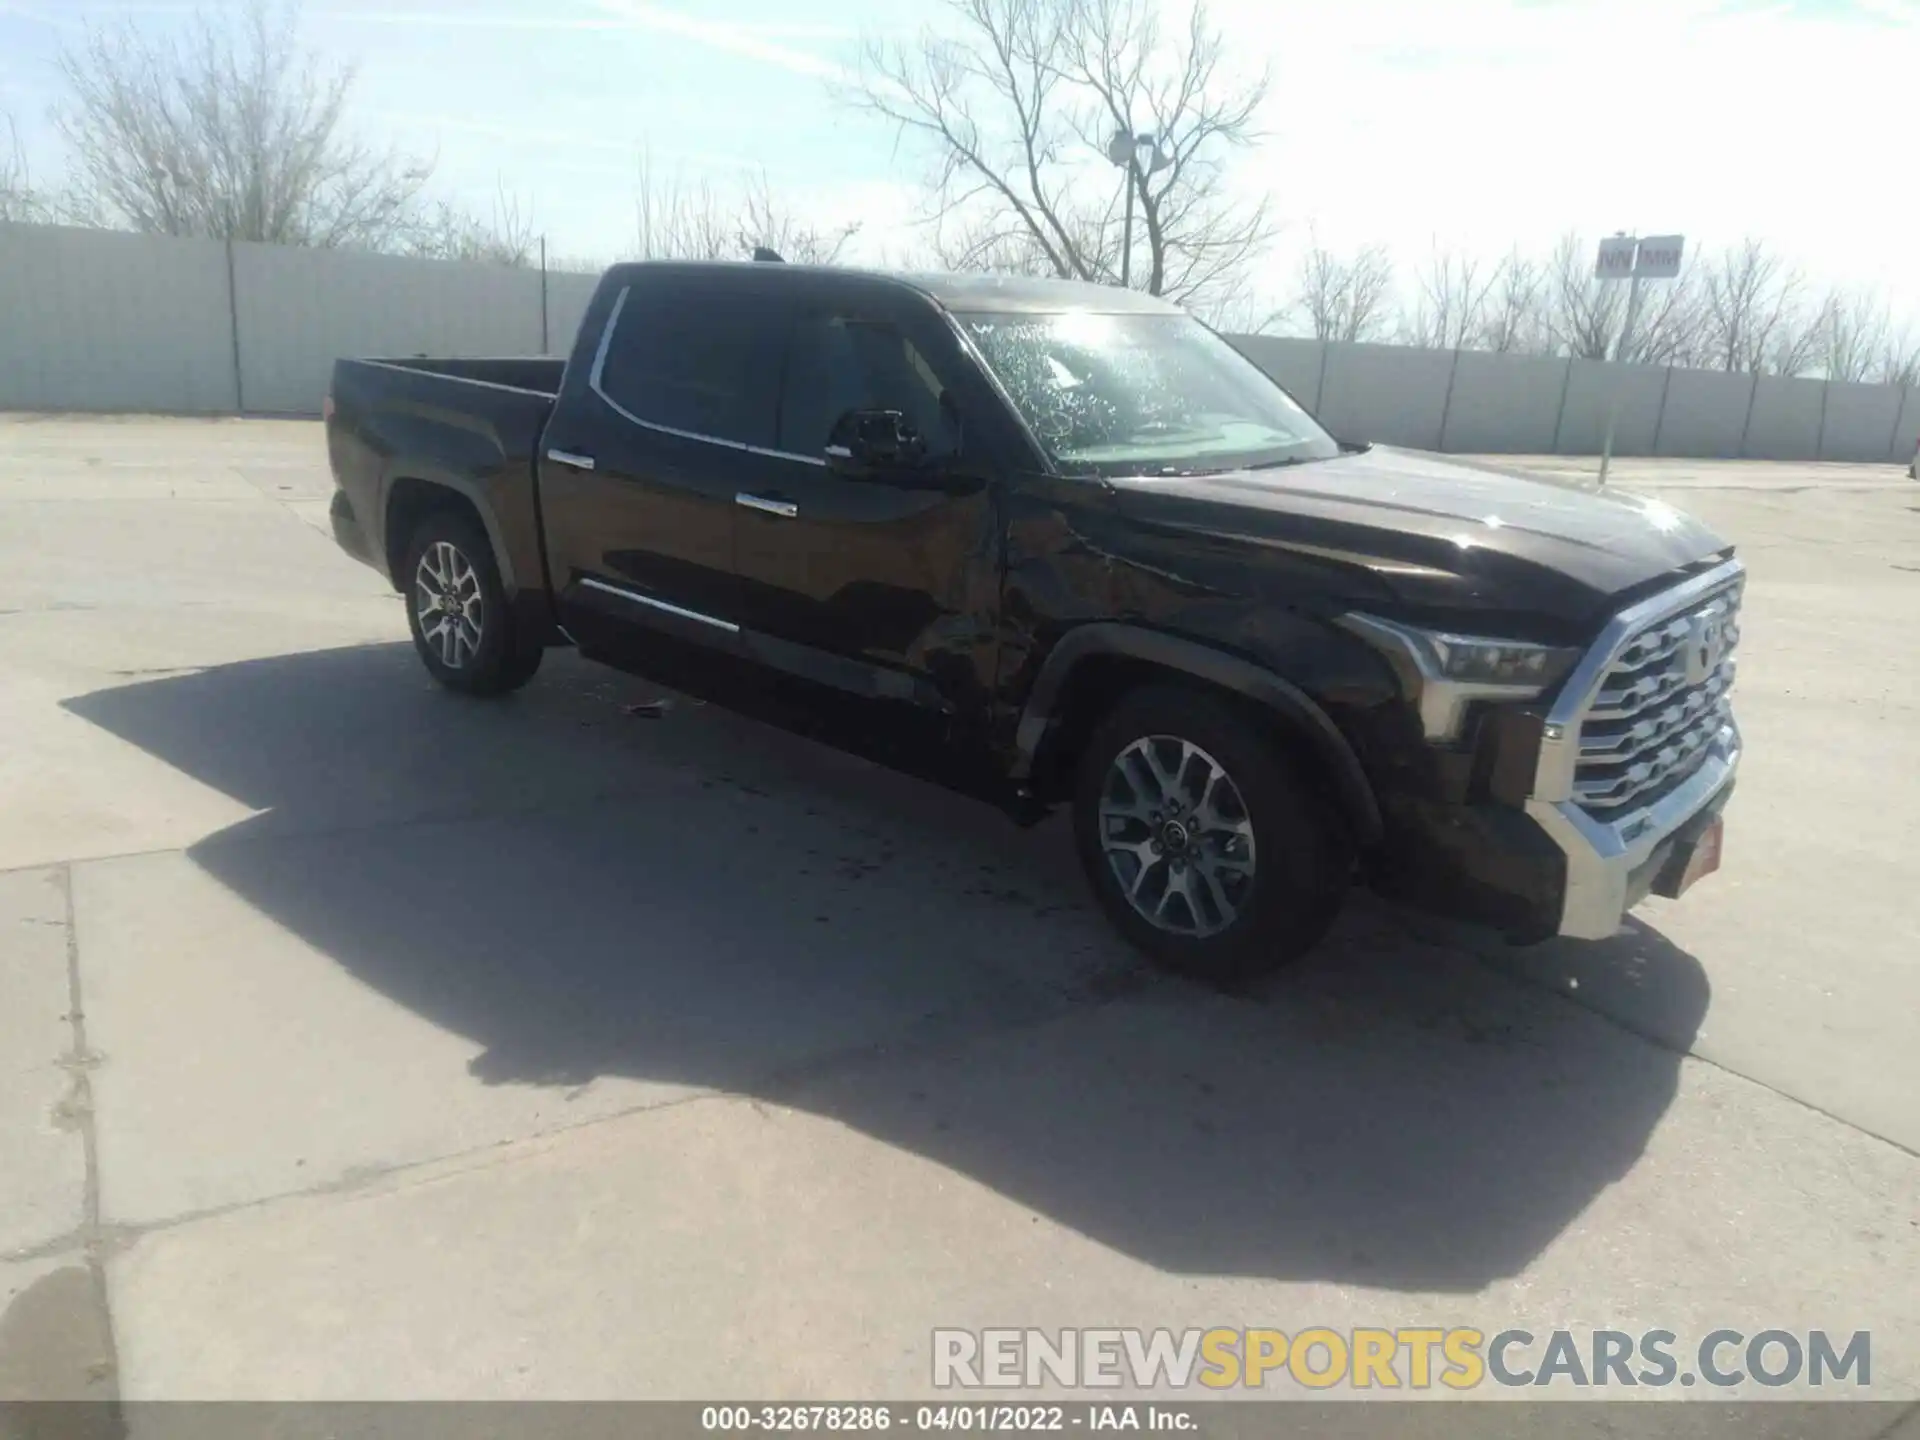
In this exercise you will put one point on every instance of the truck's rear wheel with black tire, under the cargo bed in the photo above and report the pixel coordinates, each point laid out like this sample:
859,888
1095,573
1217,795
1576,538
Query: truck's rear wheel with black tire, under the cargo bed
500,660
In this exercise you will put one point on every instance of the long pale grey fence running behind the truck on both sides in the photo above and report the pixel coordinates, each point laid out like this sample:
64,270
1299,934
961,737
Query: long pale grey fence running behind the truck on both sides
108,322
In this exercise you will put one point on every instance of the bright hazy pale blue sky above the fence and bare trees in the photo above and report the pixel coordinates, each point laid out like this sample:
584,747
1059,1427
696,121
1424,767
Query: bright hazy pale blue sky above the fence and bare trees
1477,124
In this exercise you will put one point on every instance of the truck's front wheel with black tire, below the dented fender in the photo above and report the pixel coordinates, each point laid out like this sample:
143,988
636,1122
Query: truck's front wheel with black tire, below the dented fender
1303,861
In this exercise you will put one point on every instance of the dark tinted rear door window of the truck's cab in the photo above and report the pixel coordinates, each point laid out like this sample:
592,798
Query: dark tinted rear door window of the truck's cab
698,360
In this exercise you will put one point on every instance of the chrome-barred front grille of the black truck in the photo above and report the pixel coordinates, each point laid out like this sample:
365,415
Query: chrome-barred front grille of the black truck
1660,708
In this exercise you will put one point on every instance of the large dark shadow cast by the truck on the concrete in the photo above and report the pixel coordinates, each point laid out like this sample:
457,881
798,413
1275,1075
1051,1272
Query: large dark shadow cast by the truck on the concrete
700,901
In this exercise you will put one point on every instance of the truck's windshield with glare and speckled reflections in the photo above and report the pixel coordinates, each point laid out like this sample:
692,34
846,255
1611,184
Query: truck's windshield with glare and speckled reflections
1143,395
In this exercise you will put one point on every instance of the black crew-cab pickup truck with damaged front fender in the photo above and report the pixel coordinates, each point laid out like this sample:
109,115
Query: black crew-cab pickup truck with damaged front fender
1061,544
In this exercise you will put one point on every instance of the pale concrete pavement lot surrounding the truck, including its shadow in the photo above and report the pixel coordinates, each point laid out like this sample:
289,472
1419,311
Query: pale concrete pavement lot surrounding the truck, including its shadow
535,1049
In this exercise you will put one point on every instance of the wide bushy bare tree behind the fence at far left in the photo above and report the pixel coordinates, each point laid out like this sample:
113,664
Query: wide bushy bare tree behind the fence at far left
233,132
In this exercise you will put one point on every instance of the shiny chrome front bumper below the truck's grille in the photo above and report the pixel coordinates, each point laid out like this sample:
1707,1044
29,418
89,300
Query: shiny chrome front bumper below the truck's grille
1612,867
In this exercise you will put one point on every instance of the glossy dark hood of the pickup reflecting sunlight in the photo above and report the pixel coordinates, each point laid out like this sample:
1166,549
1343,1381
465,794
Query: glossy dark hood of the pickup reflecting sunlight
1441,535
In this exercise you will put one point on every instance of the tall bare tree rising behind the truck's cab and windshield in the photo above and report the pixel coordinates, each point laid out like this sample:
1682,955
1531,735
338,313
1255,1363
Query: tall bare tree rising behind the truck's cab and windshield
1019,107
